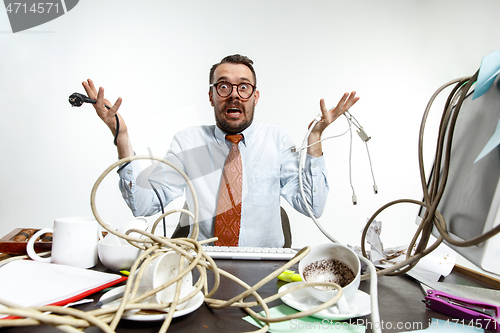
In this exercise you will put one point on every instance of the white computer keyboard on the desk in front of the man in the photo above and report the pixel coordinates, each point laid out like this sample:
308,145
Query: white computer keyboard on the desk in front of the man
250,253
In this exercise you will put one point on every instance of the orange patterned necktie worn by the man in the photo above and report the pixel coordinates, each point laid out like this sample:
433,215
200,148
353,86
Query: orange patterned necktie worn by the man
228,219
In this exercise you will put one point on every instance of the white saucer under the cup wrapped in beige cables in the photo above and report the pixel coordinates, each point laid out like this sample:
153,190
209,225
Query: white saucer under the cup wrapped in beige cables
193,304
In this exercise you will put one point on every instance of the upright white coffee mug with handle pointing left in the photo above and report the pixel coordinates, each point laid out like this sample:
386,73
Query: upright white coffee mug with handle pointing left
74,242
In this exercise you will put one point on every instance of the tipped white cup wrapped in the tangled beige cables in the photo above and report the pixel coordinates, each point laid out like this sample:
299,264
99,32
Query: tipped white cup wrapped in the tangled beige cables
162,269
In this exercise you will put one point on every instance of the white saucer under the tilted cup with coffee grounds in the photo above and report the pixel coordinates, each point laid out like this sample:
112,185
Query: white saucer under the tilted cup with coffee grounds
302,300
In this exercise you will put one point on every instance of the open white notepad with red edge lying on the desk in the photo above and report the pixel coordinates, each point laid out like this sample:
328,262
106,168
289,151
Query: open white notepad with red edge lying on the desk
32,283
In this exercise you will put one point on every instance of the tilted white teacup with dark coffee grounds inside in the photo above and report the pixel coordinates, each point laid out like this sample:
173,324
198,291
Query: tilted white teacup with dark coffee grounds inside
330,252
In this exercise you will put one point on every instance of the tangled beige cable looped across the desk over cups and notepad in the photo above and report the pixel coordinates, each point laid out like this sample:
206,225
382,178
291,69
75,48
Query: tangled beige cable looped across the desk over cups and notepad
107,319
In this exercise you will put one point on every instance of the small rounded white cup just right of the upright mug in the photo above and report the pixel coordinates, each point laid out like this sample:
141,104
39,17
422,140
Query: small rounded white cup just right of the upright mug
117,257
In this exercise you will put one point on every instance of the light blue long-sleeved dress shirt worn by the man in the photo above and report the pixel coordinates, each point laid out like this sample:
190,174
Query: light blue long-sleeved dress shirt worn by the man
270,170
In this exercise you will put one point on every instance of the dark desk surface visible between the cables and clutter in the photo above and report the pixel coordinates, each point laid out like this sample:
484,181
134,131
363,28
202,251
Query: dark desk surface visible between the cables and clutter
400,303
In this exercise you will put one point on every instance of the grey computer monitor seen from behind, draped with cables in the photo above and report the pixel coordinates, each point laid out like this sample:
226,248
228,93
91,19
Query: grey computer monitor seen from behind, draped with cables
471,200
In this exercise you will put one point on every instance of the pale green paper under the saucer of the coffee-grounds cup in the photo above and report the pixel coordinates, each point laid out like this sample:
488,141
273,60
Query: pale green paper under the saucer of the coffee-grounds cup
304,324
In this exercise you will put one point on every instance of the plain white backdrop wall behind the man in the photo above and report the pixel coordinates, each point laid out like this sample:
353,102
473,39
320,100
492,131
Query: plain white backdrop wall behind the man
156,55
